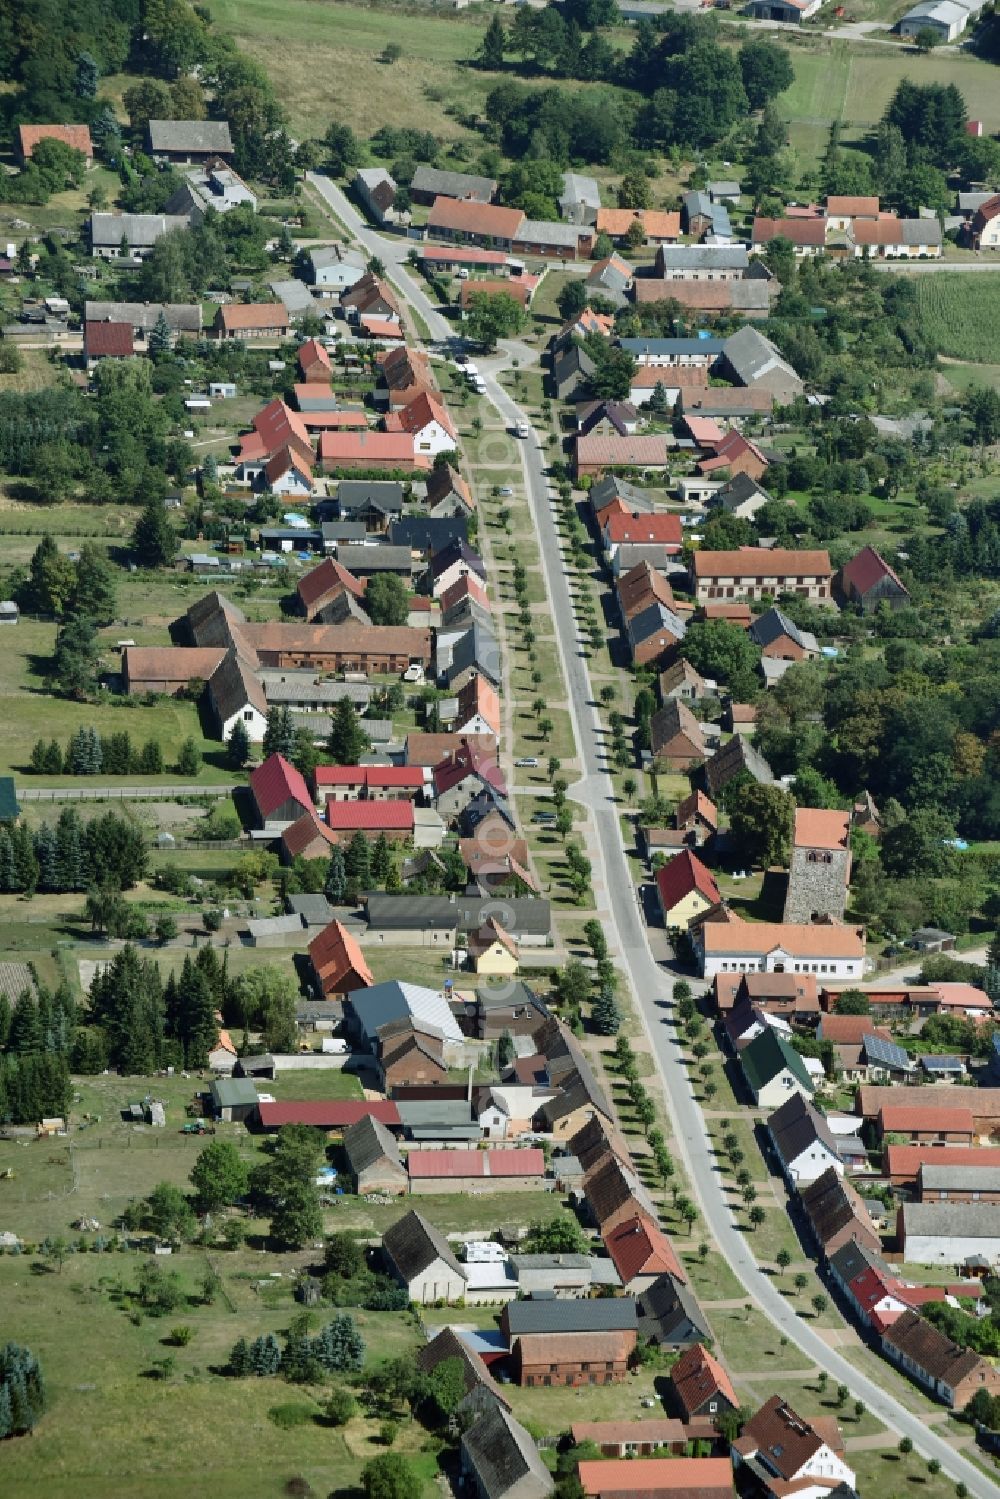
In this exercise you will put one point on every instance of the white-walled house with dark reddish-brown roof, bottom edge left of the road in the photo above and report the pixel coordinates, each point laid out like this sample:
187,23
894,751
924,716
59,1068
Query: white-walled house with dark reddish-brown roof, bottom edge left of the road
788,1453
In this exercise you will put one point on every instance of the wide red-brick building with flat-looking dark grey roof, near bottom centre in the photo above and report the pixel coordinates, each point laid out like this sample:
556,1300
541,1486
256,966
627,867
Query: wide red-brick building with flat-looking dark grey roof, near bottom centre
560,1342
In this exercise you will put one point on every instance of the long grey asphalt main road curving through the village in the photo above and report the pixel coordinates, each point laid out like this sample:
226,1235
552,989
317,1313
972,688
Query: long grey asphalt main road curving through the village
627,932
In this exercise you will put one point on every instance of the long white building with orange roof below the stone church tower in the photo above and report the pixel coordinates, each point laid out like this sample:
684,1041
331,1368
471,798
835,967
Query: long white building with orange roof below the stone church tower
839,953
